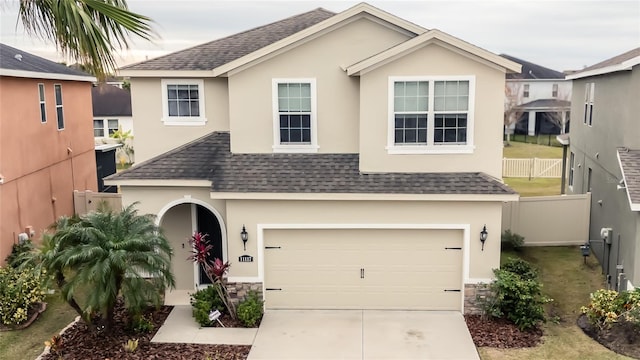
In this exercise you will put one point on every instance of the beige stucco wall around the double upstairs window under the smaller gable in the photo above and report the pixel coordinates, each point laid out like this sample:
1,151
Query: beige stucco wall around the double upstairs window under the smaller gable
432,60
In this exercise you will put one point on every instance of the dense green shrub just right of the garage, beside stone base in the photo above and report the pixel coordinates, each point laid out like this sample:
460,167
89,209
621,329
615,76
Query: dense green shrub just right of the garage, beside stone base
516,297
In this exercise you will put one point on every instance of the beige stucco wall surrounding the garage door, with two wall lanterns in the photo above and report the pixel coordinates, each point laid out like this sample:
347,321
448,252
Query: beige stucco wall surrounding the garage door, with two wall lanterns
476,214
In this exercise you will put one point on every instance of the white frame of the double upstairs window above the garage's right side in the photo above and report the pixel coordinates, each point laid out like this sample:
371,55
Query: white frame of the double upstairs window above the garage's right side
430,148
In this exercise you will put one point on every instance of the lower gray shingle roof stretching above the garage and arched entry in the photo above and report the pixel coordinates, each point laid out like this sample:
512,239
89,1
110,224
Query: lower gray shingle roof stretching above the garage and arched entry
209,158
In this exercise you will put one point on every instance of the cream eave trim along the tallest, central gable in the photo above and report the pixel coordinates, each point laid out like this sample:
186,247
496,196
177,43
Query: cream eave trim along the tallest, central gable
225,69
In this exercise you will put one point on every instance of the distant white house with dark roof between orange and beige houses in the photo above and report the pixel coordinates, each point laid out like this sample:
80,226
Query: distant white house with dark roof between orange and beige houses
112,111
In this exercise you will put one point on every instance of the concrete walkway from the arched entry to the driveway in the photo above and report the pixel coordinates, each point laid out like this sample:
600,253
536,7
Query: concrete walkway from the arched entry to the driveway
180,327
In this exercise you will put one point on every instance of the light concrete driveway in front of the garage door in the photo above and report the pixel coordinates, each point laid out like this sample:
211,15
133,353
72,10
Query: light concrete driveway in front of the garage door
362,334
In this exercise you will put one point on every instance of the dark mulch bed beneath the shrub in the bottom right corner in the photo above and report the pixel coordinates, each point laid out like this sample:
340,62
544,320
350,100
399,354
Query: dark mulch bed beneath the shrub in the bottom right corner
623,337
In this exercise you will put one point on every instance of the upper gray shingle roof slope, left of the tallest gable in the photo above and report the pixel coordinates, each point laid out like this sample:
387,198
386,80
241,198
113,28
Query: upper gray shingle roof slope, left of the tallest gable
219,52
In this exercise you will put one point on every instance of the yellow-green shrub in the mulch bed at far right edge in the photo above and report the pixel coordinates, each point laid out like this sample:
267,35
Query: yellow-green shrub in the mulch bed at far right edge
609,306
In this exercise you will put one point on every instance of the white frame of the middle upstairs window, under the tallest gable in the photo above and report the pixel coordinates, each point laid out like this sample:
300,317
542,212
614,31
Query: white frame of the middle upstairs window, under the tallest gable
278,147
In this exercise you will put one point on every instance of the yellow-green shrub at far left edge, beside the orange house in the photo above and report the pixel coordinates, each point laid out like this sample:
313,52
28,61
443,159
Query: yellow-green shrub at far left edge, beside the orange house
19,292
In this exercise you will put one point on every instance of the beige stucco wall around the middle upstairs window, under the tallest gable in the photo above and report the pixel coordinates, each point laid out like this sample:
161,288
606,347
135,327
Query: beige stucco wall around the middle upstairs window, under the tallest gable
321,58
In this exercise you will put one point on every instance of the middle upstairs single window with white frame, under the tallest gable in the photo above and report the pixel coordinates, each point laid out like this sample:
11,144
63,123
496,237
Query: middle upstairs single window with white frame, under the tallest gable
294,115
